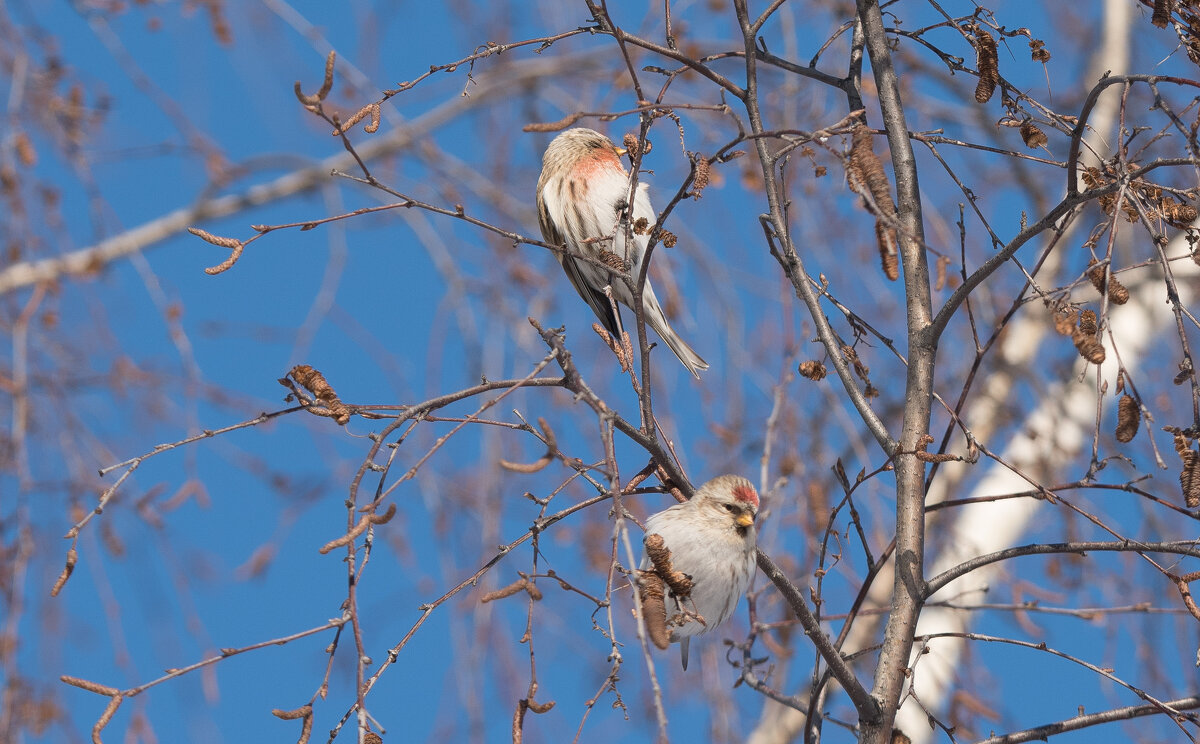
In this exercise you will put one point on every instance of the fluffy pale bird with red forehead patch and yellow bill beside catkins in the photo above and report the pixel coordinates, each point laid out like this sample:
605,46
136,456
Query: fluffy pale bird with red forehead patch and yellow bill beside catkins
712,541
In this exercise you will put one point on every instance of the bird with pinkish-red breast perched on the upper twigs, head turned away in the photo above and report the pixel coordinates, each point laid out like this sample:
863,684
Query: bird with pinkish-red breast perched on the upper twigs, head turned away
583,194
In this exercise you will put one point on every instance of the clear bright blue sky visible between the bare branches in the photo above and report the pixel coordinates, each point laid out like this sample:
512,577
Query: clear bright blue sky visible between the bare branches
367,303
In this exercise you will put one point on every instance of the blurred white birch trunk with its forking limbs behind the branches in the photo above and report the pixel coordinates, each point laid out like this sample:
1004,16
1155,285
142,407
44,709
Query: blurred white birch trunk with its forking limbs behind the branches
989,527
